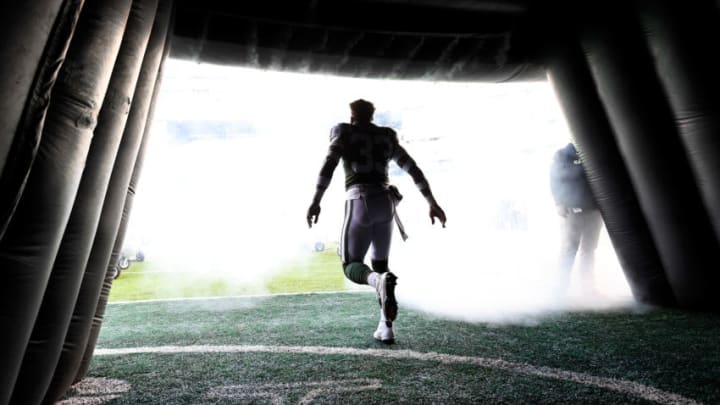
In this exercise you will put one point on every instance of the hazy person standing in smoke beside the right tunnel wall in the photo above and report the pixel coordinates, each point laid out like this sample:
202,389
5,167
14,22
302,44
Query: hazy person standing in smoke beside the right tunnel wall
581,219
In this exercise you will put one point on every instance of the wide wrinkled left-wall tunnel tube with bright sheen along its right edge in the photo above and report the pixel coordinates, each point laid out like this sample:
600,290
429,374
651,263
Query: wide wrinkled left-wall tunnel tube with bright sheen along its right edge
30,244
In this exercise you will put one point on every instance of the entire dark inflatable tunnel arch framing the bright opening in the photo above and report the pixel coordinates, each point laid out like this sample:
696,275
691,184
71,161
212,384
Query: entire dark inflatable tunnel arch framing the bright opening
637,81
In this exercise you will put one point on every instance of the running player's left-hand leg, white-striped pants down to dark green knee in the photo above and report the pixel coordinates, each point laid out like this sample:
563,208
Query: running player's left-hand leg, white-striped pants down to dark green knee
355,241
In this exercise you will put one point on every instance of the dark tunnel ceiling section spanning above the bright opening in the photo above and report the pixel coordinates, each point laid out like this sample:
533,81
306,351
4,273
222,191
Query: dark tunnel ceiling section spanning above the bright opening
460,40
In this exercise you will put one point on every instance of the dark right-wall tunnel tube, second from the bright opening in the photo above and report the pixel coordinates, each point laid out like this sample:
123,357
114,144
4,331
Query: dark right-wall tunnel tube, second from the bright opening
660,172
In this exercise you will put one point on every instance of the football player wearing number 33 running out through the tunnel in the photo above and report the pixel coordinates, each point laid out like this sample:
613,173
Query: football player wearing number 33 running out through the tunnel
366,150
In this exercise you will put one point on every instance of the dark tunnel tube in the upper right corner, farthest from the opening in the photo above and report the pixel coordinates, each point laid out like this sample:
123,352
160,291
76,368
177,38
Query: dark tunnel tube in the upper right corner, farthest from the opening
680,38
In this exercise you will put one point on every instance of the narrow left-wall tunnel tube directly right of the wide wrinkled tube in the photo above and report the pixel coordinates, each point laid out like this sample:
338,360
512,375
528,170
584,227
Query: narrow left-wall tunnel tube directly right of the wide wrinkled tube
53,320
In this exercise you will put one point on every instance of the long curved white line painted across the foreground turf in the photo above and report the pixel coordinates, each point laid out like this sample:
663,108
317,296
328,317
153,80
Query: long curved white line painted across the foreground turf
613,384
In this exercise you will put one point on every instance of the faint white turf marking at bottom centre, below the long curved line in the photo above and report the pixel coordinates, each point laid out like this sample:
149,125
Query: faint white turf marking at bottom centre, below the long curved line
273,391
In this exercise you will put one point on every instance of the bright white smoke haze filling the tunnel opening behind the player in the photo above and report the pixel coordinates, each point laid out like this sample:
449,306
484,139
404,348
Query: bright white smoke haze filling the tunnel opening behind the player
232,202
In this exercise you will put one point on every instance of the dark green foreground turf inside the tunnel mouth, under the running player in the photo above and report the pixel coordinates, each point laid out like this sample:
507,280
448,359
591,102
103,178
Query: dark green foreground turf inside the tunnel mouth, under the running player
673,351
